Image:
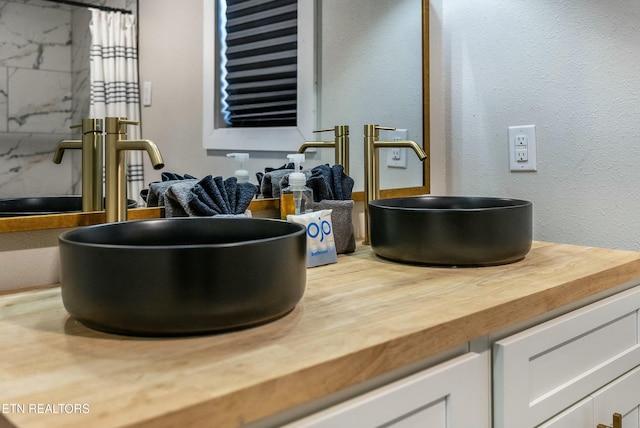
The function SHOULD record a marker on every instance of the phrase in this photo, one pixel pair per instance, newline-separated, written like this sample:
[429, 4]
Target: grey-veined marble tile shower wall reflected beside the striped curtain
[44, 89]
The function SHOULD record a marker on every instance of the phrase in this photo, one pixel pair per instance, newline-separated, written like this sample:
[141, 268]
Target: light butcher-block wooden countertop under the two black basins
[359, 318]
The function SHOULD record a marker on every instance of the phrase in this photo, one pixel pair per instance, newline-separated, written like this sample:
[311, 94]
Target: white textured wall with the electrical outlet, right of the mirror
[572, 68]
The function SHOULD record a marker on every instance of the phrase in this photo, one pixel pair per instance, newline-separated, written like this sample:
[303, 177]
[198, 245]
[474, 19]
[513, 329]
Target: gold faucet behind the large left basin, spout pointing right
[116, 165]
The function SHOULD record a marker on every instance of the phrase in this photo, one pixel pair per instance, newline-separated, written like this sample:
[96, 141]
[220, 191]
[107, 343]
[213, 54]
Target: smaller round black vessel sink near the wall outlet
[451, 230]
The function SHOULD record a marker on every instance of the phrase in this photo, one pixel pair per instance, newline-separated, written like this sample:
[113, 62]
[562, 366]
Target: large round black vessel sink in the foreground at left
[181, 276]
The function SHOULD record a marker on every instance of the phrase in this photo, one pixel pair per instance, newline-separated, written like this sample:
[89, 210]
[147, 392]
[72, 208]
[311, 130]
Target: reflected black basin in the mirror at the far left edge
[40, 205]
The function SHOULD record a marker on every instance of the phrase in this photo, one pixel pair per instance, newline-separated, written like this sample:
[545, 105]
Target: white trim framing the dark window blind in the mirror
[279, 139]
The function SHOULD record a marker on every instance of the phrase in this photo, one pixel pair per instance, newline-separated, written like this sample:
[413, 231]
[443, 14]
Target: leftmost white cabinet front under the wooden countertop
[454, 394]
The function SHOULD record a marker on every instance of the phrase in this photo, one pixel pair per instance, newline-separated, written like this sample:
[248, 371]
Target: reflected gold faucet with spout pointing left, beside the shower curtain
[91, 146]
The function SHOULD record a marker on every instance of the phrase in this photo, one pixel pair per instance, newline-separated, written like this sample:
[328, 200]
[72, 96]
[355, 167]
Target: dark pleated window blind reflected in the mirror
[259, 62]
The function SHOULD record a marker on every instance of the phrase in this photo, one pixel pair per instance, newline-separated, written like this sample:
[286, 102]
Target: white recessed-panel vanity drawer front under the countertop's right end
[546, 369]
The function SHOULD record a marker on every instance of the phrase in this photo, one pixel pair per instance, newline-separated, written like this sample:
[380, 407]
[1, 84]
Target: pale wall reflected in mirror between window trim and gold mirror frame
[371, 73]
